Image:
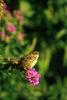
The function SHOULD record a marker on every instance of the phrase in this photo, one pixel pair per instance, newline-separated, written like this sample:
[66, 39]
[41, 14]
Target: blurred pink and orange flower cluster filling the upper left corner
[11, 25]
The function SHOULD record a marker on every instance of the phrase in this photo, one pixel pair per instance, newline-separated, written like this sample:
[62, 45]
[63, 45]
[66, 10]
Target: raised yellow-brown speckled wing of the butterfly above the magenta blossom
[29, 60]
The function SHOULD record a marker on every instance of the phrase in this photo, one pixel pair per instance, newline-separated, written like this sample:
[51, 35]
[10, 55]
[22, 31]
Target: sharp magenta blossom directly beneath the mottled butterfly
[32, 76]
